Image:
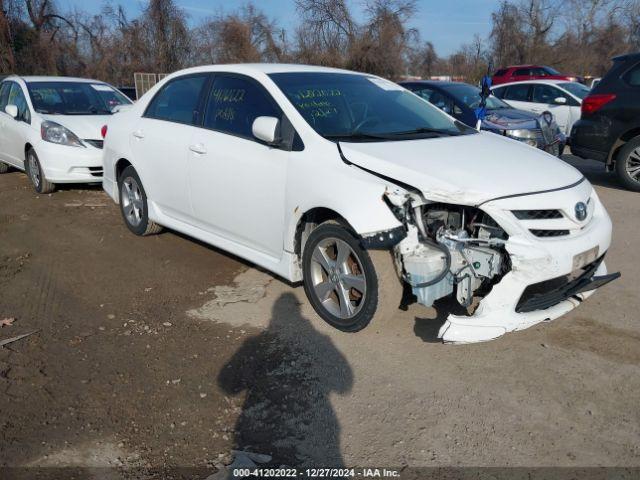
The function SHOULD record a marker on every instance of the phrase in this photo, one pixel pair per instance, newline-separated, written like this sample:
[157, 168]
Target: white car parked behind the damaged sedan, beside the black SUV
[563, 99]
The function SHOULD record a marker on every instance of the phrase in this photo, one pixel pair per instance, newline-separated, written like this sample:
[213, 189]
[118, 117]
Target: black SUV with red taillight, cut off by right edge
[609, 127]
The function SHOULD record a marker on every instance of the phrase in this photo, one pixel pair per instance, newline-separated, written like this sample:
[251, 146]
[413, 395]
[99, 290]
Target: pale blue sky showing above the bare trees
[446, 23]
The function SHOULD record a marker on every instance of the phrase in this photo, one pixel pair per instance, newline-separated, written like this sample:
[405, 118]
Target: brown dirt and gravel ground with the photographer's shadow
[159, 352]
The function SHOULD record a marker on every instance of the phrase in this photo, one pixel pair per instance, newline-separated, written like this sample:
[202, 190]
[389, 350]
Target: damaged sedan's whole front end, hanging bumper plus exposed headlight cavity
[502, 256]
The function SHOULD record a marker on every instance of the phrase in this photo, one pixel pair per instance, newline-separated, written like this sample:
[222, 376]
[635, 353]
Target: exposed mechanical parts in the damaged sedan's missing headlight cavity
[449, 249]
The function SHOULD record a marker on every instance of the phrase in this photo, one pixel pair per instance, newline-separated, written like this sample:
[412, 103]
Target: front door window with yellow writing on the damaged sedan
[234, 103]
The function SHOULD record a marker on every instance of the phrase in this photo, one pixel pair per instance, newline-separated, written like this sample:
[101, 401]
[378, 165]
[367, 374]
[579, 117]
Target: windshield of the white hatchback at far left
[74, 98]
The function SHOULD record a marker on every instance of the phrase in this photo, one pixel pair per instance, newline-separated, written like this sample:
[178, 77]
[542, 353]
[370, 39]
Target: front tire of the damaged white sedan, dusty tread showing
[383, 294]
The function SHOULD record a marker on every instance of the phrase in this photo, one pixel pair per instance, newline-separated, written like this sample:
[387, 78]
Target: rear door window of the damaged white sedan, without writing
[178, 100]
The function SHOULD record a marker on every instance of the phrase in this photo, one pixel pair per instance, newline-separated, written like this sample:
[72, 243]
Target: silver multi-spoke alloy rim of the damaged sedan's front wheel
[338, 279]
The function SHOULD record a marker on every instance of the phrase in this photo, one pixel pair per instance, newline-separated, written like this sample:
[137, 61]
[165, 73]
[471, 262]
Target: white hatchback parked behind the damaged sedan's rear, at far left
[50, 127]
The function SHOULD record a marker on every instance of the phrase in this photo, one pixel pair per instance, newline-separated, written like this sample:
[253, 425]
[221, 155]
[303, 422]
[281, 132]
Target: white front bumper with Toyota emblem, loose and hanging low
[516, 302]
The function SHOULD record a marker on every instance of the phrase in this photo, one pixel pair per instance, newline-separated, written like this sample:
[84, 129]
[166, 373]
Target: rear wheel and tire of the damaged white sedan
[132, 193]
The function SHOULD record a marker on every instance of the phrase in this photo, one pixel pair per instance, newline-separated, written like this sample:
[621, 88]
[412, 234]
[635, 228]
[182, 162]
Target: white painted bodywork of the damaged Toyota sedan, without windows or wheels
[247, 198]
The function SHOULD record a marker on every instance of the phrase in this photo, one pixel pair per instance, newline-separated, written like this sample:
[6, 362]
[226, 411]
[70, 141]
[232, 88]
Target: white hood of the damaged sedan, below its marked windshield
[467, 170]
